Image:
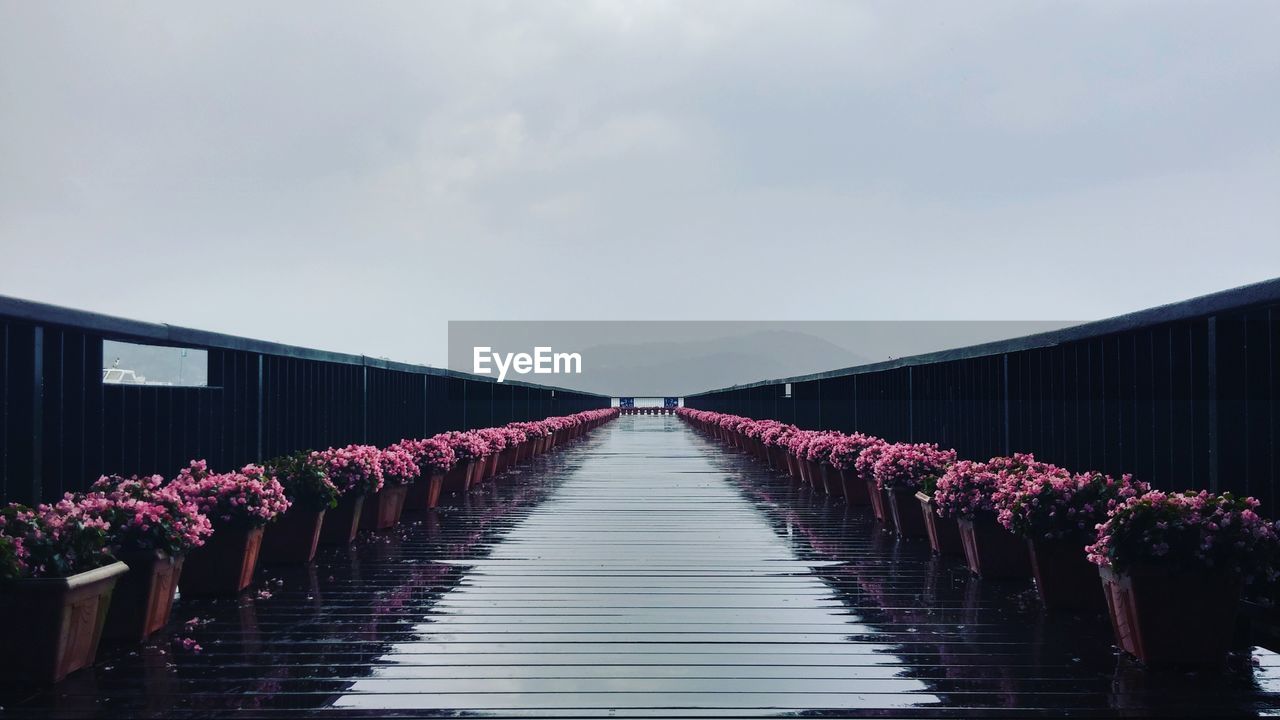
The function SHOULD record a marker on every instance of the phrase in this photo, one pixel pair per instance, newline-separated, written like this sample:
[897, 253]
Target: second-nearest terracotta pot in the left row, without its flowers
[144, 596]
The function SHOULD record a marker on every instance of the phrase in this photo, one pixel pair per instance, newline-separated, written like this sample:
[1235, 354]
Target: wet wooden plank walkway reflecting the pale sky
[644, 571]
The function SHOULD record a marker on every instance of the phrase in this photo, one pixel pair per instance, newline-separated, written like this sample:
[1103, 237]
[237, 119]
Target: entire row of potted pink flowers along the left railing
[108, 563]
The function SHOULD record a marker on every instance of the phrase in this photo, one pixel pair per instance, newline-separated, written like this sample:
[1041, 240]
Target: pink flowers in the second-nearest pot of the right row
[1048, 503]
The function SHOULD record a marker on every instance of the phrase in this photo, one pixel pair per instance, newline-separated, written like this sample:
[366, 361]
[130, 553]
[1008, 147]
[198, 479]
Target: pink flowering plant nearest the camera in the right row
[1190, 531]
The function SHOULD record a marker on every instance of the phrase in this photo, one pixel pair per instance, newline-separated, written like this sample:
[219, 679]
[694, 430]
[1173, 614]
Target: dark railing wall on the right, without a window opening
[1183, 395]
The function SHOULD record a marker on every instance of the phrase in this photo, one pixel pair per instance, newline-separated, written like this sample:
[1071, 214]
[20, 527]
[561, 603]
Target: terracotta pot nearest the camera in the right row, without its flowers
[1171, 618]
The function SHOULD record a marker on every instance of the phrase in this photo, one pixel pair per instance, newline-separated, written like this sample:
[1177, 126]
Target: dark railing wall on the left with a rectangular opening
[62, 427]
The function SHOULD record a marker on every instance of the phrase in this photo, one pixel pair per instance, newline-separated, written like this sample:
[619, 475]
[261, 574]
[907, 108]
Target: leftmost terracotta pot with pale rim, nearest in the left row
[52, 627]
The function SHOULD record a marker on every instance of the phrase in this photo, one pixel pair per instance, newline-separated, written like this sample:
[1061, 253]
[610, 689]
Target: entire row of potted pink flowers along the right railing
[1151, 559]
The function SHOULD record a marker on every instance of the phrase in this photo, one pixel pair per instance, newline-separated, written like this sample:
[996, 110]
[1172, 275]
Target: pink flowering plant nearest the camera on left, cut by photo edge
[53, 541]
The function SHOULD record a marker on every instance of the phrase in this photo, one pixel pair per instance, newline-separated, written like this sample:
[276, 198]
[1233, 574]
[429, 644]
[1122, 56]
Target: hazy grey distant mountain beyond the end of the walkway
[655, 370]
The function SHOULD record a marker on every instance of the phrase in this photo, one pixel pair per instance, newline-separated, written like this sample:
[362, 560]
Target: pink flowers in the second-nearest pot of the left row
[145, 513]
